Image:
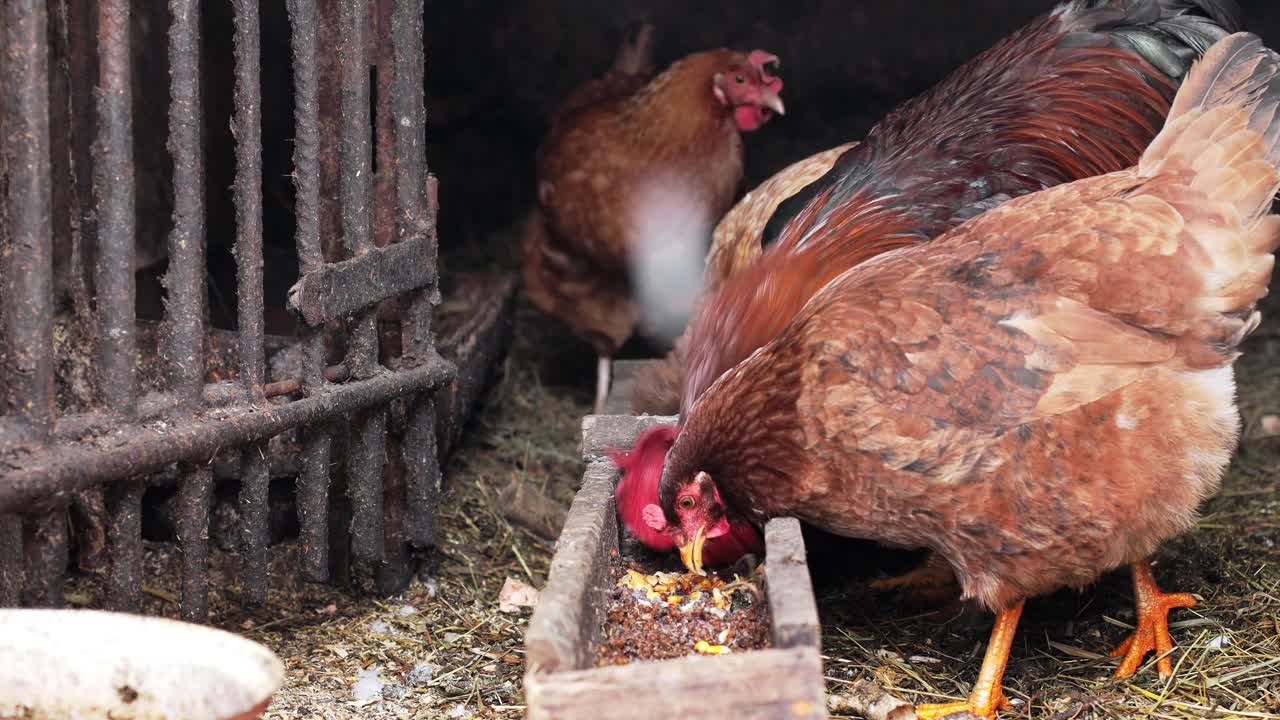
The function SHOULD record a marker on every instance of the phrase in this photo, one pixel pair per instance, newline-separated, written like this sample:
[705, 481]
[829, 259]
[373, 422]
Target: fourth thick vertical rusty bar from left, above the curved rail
[248, 130]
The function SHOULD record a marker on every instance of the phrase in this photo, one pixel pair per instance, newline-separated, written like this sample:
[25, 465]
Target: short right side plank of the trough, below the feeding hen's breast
[793, 609]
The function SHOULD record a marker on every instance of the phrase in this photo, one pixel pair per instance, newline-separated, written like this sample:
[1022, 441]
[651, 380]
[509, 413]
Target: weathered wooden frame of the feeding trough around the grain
[561, 682]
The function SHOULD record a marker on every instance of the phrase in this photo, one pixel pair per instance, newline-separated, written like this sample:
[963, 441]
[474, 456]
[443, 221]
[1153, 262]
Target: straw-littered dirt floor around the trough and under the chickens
[445, 650]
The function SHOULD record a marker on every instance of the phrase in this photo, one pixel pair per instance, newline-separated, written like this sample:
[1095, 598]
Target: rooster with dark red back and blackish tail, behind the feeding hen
[1076, 94]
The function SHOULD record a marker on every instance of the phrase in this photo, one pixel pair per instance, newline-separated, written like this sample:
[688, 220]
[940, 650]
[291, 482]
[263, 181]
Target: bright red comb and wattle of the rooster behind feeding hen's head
[638, 495]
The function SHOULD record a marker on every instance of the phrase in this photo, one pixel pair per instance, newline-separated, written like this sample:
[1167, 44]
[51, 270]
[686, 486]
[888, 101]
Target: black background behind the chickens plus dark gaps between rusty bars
[499, 69]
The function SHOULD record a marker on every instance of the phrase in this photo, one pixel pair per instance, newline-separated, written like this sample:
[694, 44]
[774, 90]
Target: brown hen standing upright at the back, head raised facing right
[618, 143]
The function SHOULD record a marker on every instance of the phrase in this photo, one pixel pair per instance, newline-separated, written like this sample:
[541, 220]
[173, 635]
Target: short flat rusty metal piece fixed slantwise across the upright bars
[355, 286]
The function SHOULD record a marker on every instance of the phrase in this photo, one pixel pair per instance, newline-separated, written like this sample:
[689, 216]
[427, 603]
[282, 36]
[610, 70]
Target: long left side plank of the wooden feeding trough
[566, 628]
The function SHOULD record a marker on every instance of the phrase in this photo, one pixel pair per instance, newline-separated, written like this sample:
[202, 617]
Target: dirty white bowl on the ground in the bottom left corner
[90, 666]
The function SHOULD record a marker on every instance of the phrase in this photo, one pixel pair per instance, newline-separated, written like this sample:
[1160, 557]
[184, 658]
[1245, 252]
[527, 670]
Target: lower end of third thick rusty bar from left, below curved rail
[195, 500]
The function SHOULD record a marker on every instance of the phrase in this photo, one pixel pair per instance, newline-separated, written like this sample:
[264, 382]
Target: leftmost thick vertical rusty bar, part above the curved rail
[28, 265]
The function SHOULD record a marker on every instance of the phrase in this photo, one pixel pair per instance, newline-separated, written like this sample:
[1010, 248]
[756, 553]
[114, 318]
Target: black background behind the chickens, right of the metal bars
[496, 71]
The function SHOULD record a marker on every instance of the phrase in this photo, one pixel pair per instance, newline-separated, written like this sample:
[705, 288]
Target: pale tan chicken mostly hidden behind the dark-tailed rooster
[735, 245]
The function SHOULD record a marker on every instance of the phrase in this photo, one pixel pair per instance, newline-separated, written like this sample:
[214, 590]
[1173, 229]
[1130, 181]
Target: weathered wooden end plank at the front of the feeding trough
[766, 685]
